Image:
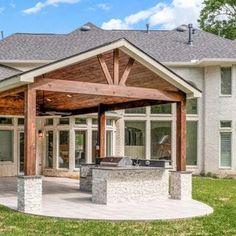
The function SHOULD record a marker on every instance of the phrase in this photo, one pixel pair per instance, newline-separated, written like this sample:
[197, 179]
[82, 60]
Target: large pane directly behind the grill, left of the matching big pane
[135, 139]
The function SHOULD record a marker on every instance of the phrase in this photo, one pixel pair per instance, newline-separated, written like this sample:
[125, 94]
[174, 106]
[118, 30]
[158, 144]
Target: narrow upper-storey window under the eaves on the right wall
[226, 81]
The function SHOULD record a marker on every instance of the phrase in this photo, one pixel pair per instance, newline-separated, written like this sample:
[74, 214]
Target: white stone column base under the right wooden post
[181, 185]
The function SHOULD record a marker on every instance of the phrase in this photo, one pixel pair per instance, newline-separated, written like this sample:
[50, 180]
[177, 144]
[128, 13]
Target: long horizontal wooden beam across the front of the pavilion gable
[68, 86]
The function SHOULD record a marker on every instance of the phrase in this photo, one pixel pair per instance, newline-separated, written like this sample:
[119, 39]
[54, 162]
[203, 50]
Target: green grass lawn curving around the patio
[218, 193]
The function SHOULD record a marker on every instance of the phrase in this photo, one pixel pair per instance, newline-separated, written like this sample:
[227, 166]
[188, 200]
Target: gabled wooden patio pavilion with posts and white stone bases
[114, 76]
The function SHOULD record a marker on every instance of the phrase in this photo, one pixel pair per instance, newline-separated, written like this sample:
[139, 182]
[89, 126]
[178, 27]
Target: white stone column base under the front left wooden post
[29, 193]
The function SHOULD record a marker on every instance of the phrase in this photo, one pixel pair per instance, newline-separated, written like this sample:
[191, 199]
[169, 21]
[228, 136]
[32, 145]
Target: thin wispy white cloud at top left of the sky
[40, 5]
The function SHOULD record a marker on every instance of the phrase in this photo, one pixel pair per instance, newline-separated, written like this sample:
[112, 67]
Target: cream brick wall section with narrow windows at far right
[218, 107]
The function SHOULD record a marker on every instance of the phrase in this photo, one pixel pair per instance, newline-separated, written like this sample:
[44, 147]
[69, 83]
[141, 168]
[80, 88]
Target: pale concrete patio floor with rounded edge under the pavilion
[62, 198]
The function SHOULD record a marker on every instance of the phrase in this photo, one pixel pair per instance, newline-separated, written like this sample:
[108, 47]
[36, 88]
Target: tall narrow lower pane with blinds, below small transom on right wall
[225, 153]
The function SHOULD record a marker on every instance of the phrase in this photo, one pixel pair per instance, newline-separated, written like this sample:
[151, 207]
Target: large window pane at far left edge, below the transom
[6, 141]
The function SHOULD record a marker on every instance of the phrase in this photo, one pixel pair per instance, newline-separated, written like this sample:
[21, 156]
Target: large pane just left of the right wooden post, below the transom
[161, 140]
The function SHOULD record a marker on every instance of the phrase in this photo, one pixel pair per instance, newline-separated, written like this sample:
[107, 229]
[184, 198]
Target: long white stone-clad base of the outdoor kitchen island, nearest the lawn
[133, 184]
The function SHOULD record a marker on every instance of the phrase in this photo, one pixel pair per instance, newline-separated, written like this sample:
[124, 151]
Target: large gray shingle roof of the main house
[165, 46]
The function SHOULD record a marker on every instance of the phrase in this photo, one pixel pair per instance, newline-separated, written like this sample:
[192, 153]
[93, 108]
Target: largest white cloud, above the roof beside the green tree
[166, 16]
